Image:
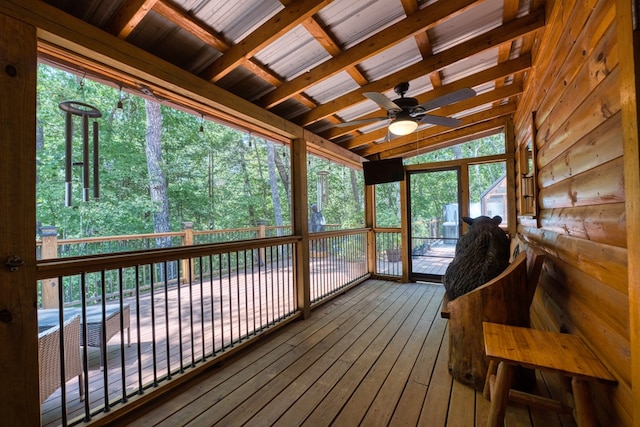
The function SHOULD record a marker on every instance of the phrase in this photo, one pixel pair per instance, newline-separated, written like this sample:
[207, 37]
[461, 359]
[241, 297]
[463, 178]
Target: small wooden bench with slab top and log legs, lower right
[510, 346]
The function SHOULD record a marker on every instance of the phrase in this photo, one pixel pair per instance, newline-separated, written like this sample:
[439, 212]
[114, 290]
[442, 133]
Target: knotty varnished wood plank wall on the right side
[574, 91]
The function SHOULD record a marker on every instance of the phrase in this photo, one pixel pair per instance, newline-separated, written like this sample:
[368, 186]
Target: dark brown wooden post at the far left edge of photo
[19, 394]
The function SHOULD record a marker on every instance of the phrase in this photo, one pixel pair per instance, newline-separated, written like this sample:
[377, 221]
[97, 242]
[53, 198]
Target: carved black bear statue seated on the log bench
[481, 254]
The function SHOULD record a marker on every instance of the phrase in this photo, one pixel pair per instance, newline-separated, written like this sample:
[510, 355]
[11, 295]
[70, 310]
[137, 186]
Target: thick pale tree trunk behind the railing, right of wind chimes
[157, 180]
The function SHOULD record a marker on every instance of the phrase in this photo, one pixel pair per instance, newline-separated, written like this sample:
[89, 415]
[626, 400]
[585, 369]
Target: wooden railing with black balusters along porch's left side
[184, 306]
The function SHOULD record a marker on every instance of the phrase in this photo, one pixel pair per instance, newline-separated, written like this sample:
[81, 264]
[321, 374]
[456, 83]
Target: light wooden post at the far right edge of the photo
[628, 44]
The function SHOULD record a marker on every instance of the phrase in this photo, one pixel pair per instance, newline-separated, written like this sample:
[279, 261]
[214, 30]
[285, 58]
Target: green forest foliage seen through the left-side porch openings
[217, 178]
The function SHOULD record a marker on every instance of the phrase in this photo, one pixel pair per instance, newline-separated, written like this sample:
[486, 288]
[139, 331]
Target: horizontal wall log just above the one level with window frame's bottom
[604, 184]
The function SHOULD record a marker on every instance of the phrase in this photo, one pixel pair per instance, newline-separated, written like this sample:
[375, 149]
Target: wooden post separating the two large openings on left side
[301, 224]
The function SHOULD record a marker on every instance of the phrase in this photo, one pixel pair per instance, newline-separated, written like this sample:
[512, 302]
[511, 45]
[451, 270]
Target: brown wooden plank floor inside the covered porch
[375, 356]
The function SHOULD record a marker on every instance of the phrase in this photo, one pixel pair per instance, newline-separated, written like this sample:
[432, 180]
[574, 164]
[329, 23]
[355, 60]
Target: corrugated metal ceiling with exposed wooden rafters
[311, 61]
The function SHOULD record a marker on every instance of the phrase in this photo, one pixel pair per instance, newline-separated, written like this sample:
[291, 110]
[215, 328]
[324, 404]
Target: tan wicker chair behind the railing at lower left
[49, 357]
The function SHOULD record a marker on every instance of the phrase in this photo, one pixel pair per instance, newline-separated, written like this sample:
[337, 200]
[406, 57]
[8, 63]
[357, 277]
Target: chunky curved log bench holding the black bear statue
[506, 300]
